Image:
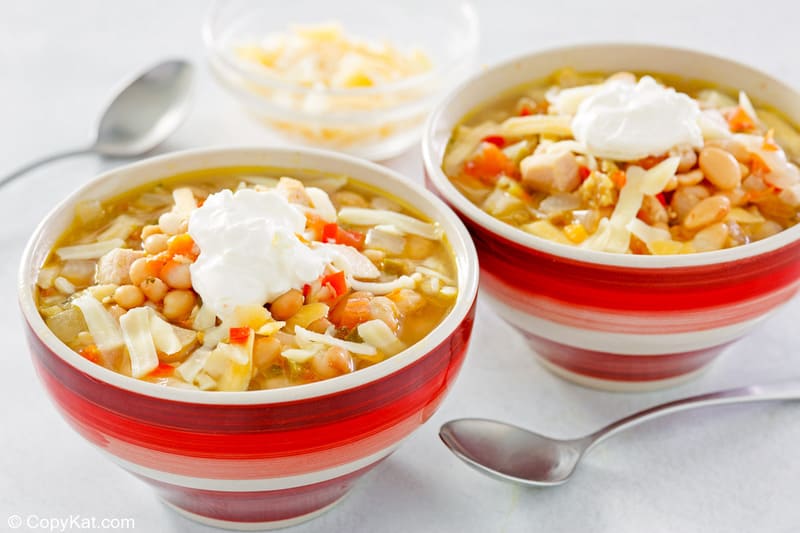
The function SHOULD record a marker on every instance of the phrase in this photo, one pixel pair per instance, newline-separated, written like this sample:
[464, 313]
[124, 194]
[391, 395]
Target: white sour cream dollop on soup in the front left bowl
[249, 250]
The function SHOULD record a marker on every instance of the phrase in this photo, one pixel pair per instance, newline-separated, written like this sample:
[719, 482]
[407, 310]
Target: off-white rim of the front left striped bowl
[463, 249]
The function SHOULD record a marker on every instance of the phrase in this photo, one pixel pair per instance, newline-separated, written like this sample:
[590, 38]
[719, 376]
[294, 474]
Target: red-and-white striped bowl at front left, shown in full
[260, 459]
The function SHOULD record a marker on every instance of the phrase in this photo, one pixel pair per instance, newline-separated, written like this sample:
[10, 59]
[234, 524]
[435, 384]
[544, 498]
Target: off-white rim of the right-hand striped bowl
[600, 258]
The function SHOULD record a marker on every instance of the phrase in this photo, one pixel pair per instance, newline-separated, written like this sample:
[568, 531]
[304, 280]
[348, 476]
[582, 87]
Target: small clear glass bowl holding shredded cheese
[350, 76]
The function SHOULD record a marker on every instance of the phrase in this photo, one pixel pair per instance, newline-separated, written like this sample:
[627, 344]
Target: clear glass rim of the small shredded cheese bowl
[471, 33]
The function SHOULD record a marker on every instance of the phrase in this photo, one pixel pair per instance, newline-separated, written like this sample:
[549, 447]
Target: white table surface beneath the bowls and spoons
[731, 469]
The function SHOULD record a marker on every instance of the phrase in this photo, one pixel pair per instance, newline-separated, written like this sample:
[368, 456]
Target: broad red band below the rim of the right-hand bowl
[635, 289]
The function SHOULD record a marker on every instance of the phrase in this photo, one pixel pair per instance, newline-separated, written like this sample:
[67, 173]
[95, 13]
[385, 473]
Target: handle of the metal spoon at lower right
[784, 390]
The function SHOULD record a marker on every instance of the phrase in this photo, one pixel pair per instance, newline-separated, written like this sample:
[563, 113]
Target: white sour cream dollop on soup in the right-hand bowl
[626, 121]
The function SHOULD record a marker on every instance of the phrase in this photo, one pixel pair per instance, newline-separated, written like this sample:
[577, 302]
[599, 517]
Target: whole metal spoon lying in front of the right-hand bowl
[510, 453]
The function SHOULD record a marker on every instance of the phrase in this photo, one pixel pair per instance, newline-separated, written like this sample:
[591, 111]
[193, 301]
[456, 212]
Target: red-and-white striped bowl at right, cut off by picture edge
[614, 321]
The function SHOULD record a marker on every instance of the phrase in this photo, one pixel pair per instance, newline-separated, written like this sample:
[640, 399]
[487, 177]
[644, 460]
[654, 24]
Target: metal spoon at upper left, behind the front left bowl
[138, 119]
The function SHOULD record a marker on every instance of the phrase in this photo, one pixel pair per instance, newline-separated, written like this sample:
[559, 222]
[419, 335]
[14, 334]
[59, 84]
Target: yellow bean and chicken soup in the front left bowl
[336, 311]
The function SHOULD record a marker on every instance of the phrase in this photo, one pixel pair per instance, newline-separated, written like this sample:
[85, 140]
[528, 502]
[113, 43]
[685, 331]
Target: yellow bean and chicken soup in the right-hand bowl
[485, 163]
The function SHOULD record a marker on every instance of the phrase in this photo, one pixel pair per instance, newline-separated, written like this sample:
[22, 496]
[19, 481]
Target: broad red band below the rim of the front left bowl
[357, 422]
